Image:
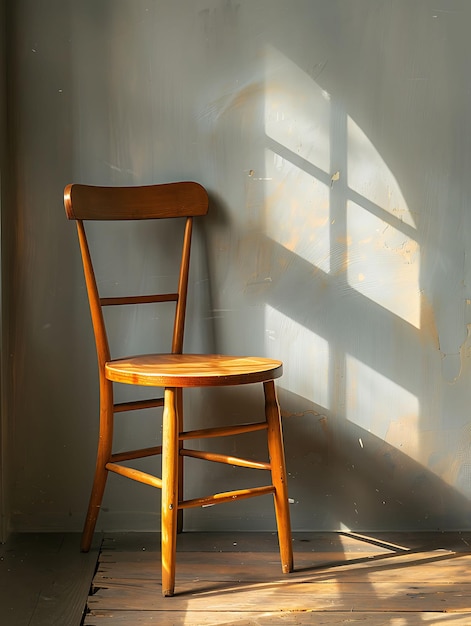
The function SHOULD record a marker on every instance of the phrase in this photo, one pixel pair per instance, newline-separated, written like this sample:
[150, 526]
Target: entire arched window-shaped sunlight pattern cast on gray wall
[352, 224]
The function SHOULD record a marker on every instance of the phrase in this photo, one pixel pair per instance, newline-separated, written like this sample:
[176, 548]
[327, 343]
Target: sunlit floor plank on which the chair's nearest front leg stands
[329, 596]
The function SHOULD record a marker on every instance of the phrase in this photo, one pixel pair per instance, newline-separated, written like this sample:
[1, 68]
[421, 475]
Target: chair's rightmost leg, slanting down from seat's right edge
[278, 472]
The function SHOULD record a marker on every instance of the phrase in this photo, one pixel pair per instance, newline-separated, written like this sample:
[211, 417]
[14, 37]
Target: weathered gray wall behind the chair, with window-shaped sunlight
[333, 138]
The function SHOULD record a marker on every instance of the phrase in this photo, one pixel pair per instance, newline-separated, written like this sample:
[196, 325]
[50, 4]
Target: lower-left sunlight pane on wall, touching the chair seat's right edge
[286, 340]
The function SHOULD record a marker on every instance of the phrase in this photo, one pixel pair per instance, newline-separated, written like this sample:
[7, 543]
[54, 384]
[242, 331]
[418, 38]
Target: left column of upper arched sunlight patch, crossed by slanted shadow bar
[297, 120]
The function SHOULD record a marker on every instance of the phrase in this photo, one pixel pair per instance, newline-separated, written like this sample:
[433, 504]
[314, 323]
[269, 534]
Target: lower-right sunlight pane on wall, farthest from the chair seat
[376, 403]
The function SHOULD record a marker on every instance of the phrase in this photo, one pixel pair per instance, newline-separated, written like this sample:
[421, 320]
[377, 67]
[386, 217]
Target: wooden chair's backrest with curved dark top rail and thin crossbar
[172, 200]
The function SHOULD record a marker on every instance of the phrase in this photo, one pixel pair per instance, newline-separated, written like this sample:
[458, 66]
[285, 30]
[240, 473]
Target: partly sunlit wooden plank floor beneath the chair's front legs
[340, 578]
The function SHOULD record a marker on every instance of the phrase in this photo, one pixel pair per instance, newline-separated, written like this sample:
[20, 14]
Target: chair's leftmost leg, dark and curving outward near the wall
[105, 443]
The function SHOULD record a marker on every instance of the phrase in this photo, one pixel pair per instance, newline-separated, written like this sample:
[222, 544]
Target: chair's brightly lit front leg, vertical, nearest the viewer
[170, 461]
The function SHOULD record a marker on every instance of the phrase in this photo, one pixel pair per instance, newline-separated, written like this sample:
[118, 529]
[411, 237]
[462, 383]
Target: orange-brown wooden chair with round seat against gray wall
[171, 372]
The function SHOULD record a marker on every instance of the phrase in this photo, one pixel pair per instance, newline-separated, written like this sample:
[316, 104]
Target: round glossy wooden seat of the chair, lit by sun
[192, 370]
